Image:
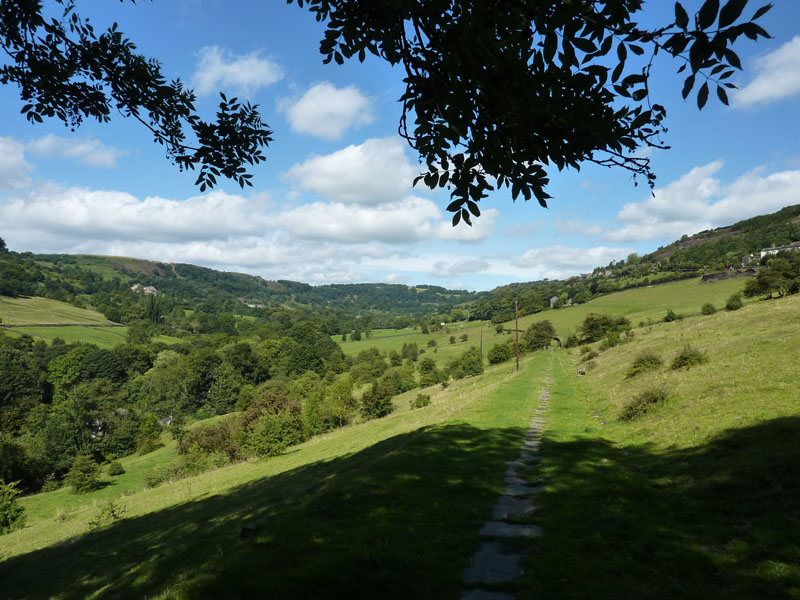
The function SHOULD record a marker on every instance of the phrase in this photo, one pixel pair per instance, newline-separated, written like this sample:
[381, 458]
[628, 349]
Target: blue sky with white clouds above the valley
[334, 201]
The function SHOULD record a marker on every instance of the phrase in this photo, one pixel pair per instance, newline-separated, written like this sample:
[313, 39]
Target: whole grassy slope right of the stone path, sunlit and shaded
[698, 499]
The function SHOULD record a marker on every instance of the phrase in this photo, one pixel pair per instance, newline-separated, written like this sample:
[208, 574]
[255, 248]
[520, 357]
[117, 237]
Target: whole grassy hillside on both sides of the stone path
[693, 497]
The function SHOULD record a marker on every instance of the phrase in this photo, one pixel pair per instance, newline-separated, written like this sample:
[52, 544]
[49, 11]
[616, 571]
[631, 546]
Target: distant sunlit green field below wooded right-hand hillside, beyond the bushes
[641, 304]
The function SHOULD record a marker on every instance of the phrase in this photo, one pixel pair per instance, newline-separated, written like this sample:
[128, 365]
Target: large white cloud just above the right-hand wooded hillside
[699, 201]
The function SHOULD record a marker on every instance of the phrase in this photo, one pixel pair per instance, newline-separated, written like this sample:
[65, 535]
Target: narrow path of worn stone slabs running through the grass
[497, 561]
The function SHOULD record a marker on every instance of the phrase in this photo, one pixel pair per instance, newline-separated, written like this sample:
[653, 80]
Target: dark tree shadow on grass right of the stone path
[720, 520]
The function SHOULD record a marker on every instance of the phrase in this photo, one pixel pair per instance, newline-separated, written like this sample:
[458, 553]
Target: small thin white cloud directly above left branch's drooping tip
[219, 68]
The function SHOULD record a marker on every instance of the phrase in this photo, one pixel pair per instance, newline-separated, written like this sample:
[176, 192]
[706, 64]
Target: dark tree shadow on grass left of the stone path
[398, 519]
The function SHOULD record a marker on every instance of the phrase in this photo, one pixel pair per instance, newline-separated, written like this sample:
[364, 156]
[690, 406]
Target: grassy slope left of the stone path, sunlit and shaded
[387, 508]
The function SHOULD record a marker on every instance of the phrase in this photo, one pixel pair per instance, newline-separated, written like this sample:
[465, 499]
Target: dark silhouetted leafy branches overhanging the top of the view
[496, 91]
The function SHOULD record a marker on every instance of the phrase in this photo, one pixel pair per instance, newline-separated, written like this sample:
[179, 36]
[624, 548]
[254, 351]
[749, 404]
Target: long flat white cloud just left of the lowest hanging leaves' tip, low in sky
[403, 221]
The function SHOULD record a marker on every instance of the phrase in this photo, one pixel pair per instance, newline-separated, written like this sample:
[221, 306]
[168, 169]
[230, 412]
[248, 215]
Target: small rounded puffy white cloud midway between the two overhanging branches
[327, 111]
